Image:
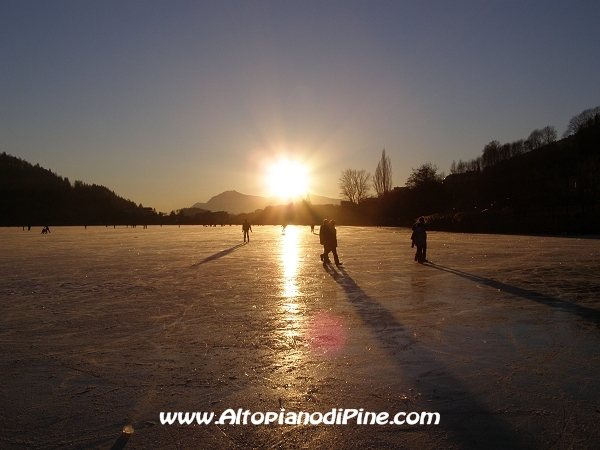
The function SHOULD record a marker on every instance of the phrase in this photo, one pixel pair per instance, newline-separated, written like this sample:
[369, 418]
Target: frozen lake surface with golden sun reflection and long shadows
[102, 328]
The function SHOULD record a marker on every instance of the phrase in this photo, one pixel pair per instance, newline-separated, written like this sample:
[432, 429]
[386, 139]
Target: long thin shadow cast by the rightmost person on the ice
[588, 314]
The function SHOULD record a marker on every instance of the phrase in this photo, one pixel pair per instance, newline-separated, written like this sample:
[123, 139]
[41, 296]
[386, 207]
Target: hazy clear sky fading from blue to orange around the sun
[171, 102]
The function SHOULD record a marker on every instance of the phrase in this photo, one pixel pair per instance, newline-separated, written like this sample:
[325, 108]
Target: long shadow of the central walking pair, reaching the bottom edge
[471, 425]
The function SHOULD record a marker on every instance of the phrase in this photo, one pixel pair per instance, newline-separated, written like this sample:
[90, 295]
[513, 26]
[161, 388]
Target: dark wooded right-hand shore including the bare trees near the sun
[538, 184]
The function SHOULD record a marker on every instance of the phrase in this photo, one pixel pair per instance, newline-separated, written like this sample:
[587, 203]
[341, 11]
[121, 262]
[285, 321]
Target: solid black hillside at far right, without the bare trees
[552, 189]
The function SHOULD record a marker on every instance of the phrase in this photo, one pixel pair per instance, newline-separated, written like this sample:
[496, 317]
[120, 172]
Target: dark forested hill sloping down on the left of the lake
[33, 196]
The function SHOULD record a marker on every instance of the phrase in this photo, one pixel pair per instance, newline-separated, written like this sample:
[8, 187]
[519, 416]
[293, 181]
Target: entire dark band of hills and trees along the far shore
[540, 184]
